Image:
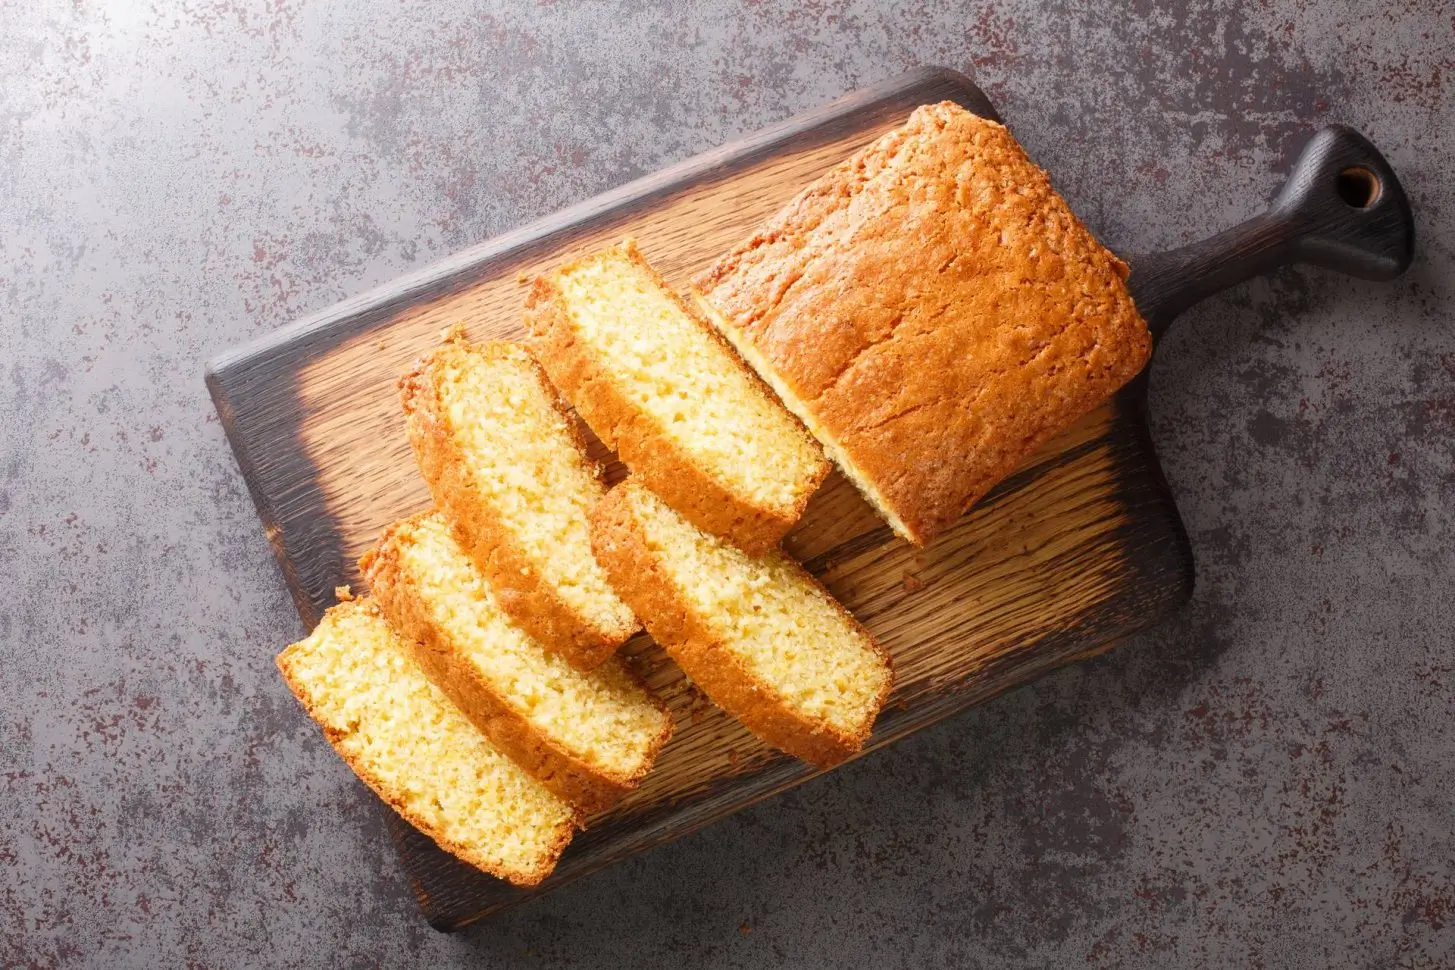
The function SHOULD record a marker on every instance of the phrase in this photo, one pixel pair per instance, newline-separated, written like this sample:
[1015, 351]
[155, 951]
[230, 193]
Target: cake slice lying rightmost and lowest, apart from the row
[759, 635]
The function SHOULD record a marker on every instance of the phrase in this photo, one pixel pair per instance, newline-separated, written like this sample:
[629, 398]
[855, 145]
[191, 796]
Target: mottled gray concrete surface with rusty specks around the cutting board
[1265, 783]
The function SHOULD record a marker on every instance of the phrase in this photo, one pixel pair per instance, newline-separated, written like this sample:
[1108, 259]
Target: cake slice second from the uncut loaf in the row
[506, 463]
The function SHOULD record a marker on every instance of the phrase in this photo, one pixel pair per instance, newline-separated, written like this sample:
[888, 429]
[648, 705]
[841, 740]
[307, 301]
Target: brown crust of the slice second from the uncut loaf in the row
[522, 591]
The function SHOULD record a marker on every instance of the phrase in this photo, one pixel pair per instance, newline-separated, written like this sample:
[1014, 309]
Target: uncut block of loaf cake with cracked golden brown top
[933, 312]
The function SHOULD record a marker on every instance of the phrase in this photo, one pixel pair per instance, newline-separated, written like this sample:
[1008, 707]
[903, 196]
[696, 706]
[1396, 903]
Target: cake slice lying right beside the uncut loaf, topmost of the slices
[671, 398]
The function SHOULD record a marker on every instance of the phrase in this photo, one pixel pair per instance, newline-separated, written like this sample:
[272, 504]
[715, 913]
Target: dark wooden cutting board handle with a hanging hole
[1342, 209]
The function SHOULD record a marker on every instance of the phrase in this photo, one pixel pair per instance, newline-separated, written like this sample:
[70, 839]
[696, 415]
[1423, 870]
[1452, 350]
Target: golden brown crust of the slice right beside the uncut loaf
[639, 440]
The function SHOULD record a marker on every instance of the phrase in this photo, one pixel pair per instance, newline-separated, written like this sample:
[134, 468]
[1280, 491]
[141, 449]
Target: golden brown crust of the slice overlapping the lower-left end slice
[586, 786]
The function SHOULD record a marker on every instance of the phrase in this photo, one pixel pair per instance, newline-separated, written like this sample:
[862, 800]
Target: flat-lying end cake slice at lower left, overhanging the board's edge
[418, 753]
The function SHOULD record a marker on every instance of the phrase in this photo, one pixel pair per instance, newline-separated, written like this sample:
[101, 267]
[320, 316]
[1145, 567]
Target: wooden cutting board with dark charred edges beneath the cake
[1077, 550]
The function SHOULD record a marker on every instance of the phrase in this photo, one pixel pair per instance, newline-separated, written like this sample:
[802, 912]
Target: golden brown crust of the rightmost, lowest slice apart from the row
[619, 540]
